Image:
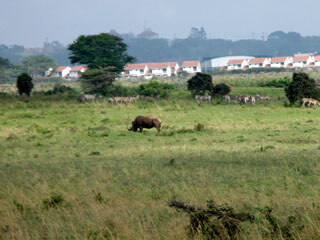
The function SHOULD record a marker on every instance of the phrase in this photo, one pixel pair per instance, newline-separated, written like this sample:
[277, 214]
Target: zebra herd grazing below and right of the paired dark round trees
[243, 99]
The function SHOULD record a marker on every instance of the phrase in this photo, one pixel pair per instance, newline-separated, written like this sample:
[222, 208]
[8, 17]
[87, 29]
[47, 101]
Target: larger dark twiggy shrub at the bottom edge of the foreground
[214, 221]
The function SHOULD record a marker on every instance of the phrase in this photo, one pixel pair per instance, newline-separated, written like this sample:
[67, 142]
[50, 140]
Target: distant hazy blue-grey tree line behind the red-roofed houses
[195, 46]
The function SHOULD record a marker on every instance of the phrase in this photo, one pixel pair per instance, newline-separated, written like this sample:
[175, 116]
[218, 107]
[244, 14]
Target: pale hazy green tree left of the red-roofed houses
[38, 64]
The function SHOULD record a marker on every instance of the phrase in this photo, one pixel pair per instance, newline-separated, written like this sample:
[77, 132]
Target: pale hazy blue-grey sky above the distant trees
[30, 22]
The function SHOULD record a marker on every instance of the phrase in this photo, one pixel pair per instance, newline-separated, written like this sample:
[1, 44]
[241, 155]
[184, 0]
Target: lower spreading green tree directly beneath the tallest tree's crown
[98, 81]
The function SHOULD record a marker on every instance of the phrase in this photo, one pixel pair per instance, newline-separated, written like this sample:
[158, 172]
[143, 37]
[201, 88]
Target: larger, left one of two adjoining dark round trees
[200, 84]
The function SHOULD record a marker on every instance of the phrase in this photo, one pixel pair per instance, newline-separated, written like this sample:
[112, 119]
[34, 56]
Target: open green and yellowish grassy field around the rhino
[74, 171]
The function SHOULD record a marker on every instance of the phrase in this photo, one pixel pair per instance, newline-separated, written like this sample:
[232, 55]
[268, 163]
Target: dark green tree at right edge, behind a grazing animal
[301, 86]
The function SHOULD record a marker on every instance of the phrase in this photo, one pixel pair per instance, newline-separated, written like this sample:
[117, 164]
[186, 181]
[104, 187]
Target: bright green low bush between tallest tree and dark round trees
[155, 88]
